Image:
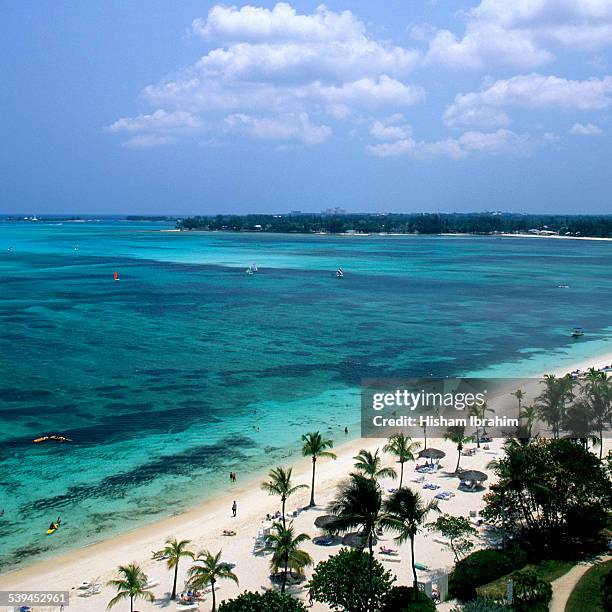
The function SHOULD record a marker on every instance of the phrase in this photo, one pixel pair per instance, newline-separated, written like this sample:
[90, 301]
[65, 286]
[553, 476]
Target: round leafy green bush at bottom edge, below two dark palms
[351, 581]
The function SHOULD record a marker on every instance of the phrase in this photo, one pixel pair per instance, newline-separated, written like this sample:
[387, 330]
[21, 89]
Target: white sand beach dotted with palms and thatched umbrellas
[203, 525]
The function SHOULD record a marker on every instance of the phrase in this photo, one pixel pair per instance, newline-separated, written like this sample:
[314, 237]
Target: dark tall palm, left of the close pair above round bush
[358, 506]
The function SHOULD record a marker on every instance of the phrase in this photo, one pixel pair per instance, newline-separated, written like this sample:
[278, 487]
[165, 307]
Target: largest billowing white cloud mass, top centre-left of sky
[279, 63]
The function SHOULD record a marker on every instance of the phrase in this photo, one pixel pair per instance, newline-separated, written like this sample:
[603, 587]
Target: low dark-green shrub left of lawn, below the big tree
[479, 568]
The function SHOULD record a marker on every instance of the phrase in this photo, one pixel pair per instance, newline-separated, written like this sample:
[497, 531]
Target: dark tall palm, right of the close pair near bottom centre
[405, 513]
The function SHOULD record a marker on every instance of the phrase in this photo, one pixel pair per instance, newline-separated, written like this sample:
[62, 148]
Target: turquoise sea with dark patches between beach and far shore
[163, 378]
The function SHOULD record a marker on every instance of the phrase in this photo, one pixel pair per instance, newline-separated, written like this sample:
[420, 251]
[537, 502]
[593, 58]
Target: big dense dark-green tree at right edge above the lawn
[554, 494]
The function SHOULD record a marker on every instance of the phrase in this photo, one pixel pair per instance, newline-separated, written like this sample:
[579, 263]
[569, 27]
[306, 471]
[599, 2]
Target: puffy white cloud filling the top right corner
[521, 33]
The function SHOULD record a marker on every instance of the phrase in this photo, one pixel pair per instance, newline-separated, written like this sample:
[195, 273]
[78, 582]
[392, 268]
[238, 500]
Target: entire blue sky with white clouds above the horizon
[163, 107]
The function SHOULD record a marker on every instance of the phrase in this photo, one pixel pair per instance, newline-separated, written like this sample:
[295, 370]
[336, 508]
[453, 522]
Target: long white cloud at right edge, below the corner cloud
[530, 91]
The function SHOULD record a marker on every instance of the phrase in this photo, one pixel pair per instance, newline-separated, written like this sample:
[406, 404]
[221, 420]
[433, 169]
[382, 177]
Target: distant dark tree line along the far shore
[412, 223]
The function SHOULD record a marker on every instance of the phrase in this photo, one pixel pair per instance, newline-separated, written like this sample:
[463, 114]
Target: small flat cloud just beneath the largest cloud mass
[287, 127]
